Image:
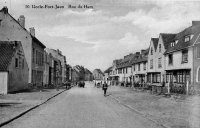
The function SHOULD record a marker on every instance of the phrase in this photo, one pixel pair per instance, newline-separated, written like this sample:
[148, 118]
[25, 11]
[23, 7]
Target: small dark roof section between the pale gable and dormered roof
[167, 38]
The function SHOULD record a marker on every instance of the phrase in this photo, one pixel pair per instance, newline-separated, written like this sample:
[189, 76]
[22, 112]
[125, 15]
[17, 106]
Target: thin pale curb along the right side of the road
[139, 113]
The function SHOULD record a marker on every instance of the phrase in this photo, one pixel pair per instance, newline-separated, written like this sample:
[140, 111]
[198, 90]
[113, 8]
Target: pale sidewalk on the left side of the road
[14, 105]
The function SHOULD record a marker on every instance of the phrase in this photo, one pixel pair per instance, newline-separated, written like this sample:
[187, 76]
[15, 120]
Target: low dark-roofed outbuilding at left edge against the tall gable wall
[13, 67]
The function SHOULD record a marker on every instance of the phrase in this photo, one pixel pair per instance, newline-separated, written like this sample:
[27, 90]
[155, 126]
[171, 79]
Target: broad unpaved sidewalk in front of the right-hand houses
[177, 111]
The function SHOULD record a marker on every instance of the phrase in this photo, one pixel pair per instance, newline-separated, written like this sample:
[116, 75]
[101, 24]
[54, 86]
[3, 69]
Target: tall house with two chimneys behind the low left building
[11, 30]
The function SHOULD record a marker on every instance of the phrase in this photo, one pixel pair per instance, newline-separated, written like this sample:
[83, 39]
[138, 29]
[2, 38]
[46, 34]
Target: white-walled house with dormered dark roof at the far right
[180, 57]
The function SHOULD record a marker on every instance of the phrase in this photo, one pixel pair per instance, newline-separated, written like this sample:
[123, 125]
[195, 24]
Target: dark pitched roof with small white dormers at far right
[181, 44]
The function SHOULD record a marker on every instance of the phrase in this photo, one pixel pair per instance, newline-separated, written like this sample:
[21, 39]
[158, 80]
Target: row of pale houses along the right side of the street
[171, 58]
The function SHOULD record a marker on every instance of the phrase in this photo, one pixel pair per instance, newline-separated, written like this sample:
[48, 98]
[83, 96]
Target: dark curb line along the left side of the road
[28, 110]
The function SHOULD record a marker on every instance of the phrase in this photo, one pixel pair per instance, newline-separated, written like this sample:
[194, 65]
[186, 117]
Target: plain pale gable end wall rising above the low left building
[12, 31]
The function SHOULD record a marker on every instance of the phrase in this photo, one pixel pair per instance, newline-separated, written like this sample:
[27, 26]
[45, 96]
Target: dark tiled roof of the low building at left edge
[7, 50]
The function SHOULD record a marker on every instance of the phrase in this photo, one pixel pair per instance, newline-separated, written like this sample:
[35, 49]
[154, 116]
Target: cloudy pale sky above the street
[112, 29]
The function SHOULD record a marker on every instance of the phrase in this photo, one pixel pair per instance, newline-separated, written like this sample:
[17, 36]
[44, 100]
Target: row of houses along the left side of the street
[25, 60]
